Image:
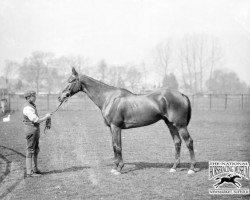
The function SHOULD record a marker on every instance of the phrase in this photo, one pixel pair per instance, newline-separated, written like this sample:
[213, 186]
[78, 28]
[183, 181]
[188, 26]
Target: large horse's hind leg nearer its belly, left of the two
[177, 143]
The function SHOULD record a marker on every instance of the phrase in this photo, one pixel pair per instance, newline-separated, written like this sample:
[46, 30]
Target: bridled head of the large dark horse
[73, 86]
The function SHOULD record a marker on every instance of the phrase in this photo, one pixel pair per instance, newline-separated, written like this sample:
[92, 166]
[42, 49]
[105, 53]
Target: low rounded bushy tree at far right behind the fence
[226, 82]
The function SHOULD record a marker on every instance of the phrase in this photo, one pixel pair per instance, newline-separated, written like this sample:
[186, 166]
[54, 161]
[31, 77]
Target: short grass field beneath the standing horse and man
[76, 157]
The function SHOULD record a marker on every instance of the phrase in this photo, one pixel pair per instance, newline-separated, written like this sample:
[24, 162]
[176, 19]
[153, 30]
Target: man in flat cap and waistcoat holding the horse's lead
[32, 122]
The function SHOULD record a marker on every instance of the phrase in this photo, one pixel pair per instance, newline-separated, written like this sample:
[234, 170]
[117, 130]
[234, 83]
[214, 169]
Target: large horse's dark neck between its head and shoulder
[96, 90]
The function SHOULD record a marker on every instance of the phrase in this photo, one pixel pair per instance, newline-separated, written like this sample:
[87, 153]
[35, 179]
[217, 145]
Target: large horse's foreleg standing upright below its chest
[117, 147]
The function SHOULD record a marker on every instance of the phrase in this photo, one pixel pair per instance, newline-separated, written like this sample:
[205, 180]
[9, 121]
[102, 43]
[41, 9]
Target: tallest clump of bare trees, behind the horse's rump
[198, 54]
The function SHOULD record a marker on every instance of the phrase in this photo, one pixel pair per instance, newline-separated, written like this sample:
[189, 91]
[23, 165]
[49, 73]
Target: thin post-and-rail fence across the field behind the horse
[82, 102]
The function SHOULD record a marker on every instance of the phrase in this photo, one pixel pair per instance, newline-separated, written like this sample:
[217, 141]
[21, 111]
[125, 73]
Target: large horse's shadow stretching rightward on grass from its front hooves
[134, 166]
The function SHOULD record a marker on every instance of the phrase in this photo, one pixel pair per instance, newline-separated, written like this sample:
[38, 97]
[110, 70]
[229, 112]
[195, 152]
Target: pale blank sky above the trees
[122, 31]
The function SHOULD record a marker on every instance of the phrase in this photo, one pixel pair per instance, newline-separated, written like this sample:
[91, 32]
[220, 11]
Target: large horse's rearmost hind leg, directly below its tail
[189, 142]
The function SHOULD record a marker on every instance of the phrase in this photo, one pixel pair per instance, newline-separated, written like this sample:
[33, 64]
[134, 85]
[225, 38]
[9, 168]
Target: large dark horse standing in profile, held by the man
[121, 109]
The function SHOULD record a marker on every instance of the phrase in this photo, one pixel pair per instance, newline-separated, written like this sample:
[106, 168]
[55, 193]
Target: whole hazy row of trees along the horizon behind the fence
[189, 65]
